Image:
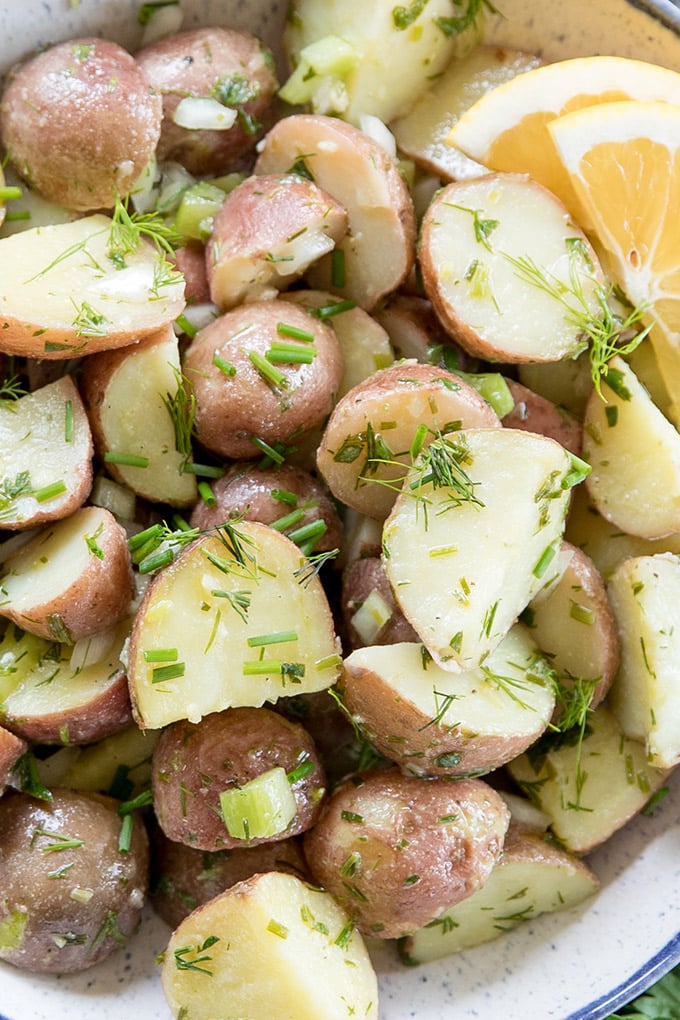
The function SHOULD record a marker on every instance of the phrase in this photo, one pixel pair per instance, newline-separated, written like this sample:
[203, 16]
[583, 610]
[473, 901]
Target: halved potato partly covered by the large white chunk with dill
[369, 443]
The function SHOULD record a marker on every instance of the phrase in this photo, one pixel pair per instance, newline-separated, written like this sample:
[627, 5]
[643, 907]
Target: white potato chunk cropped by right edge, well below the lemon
[646, 695]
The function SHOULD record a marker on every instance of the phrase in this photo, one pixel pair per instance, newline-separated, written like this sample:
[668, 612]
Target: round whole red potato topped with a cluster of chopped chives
[242, 395]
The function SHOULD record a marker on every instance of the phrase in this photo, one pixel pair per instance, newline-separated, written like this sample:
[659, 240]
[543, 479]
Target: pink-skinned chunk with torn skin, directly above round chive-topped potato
[268, 233]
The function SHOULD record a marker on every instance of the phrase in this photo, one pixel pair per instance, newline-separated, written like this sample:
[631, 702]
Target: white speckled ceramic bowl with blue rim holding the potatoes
[579, 965]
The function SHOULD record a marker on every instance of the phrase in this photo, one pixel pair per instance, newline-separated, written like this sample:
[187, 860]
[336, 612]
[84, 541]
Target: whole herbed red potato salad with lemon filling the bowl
[340, 499]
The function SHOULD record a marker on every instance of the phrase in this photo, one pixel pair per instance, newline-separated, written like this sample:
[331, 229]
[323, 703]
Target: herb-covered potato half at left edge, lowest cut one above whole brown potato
[47, 698]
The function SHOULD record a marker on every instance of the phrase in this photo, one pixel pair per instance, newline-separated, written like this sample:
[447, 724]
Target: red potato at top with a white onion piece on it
[233, 69]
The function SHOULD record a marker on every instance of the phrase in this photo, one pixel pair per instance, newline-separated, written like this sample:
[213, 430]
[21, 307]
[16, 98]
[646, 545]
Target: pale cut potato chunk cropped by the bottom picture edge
[270, 948]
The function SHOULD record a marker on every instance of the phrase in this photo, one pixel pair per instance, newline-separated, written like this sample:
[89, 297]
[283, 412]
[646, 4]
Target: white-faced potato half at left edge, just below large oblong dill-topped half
[45, 456]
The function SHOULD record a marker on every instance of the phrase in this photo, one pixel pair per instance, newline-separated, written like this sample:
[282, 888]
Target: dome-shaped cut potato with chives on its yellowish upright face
[238, 620]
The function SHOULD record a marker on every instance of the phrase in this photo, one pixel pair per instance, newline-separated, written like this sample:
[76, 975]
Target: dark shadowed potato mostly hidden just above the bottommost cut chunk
[184, 879]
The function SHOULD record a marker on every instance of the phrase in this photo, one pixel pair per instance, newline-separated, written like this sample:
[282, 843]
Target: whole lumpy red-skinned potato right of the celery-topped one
[397, 851]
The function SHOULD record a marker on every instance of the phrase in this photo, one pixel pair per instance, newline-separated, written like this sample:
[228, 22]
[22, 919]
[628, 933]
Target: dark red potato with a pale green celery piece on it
[194, 763]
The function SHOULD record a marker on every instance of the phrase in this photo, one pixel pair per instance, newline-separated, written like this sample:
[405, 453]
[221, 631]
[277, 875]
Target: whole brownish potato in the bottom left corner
[94, 929]
